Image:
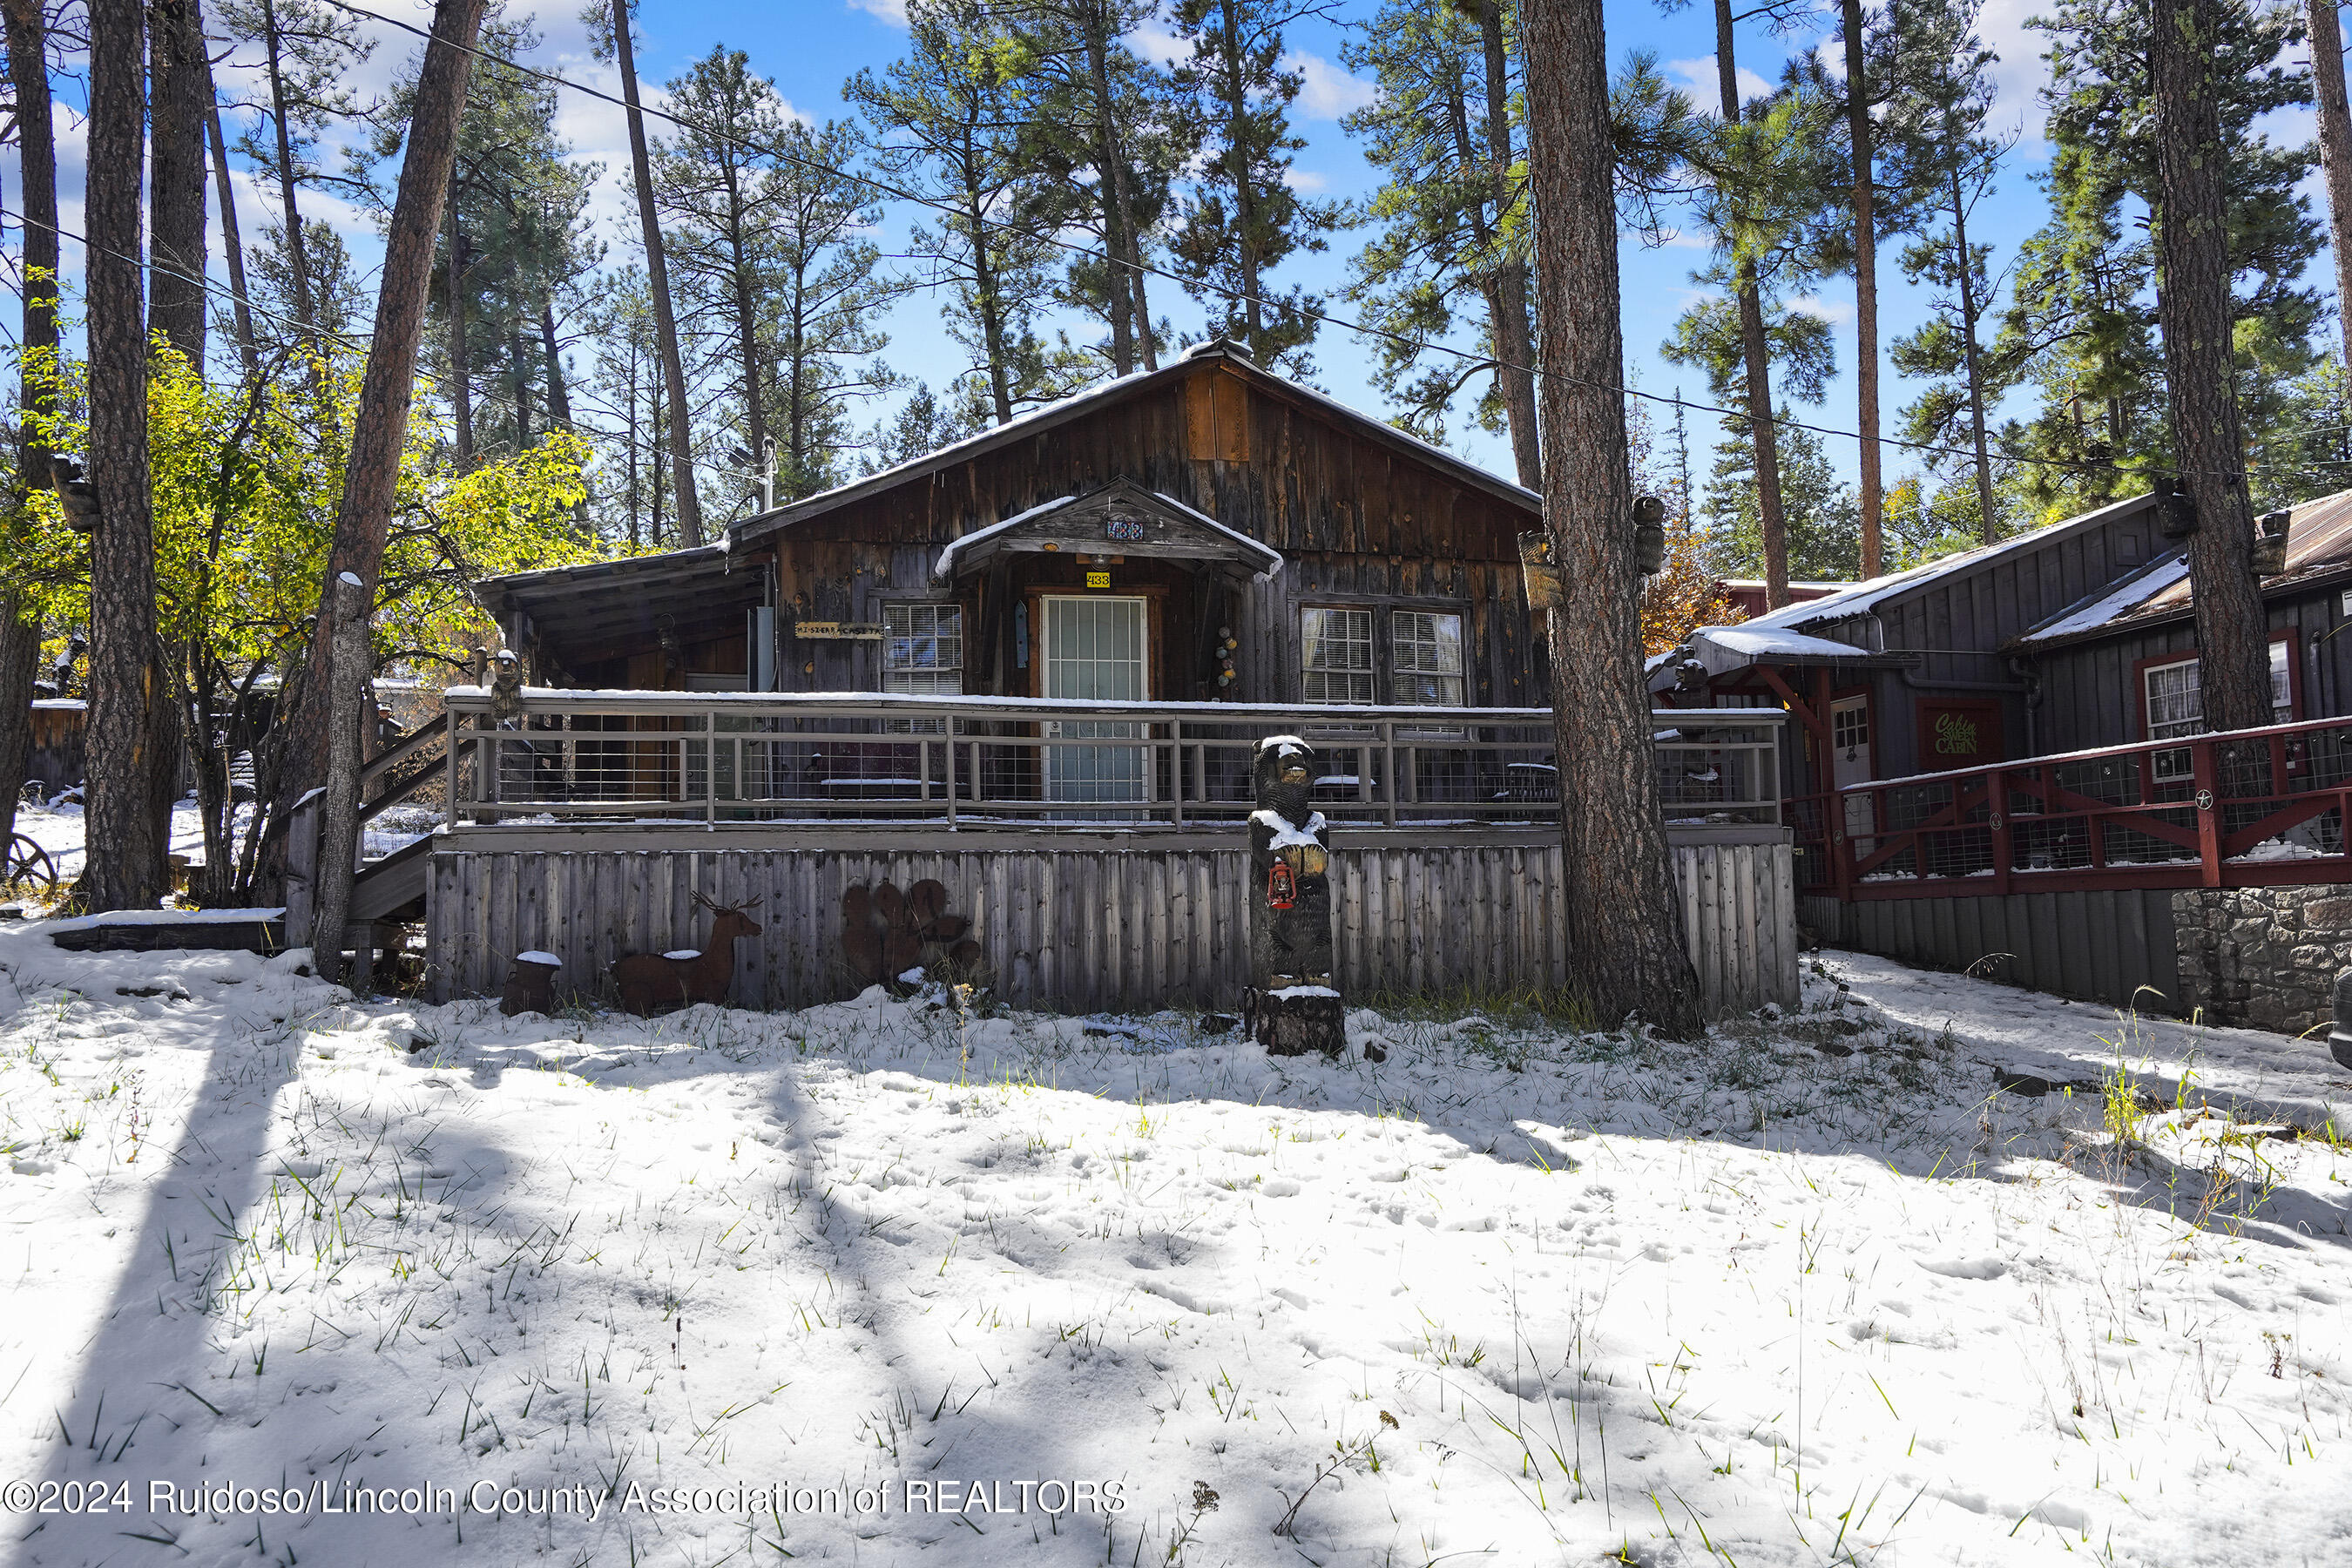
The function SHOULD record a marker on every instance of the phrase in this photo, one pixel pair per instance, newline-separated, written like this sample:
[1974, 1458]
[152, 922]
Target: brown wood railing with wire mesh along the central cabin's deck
[970, 763]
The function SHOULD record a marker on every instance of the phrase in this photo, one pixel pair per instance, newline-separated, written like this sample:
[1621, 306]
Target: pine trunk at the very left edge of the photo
[36, 147]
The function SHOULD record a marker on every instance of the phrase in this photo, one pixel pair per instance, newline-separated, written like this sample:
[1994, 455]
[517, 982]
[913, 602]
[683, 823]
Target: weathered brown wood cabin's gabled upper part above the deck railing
[1104, 547]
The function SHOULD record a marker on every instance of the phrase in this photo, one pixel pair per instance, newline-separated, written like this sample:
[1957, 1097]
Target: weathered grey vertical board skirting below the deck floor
[1090, 927]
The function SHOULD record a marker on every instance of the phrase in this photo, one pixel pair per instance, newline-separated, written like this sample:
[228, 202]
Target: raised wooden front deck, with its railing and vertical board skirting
[589, 829]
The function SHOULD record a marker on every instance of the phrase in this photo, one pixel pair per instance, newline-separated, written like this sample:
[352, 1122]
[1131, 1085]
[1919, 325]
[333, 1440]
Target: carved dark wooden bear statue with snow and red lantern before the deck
[1295, 1005]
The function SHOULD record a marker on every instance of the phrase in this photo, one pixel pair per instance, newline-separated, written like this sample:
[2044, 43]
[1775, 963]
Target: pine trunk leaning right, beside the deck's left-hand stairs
[387, 391]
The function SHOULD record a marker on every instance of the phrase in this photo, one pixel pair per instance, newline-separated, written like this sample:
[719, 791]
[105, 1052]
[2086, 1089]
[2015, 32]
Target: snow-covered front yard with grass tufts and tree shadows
[886, 1282]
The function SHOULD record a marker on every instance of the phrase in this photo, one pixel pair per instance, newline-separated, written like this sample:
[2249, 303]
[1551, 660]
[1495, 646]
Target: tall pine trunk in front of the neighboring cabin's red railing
[2193, 302]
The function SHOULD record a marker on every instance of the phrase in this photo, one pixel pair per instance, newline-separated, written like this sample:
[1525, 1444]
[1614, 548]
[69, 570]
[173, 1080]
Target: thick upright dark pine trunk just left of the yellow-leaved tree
[131, 692]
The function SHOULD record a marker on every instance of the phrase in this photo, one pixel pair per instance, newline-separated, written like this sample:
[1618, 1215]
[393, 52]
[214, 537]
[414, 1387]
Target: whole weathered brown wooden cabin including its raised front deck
[1031, 669]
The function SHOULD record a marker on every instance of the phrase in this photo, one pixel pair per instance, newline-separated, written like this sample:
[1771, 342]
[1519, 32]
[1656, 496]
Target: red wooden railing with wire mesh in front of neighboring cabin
[2240, 810]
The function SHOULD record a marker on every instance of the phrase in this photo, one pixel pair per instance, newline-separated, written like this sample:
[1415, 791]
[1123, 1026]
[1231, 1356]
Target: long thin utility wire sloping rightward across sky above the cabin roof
[1231, 295]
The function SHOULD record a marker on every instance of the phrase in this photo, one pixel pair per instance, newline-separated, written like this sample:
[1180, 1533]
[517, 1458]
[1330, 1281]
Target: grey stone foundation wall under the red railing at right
[2264, 958]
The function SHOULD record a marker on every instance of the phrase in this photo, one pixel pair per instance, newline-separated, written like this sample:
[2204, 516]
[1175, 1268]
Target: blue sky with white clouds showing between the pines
[810, 48]
